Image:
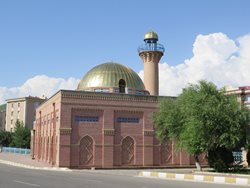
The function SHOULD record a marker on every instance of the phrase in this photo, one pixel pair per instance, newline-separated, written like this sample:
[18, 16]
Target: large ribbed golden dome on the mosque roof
[108, 75]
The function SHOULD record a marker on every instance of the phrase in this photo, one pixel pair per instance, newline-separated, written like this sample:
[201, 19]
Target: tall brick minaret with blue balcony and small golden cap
[151, 53]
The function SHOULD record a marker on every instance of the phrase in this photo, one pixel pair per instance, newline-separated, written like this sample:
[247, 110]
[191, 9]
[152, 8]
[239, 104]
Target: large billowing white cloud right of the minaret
[216, 58]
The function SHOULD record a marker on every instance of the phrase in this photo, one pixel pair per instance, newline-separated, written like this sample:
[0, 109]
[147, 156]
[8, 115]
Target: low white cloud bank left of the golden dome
[40, 85]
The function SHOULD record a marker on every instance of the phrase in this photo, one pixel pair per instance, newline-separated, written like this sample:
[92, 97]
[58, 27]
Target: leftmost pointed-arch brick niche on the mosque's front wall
[86, 151]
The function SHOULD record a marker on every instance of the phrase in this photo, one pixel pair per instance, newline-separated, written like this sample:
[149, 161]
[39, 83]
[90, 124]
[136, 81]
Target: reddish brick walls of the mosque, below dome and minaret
[78, 129]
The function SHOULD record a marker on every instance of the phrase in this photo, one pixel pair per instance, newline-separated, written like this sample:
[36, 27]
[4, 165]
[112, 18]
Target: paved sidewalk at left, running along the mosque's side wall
[25, 161]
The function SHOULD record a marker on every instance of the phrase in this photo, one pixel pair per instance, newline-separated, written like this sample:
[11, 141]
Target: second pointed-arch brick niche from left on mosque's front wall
[128, 150]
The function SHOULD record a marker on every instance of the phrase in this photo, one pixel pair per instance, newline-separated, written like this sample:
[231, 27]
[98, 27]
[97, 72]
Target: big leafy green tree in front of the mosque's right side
[202, 120]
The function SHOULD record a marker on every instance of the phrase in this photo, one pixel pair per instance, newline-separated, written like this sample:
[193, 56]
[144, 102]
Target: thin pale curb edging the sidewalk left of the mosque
[33, 167]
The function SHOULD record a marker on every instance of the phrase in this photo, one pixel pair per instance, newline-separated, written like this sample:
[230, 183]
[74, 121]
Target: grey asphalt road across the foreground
[14, 177]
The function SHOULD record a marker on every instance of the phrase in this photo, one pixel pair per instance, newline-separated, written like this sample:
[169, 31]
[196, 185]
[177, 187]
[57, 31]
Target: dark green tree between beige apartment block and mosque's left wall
[21, 136]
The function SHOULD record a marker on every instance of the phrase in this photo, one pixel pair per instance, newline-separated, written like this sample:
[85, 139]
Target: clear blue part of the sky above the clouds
[67, 38]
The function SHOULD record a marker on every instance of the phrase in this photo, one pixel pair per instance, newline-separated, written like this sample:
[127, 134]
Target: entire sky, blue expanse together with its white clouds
[47, 39]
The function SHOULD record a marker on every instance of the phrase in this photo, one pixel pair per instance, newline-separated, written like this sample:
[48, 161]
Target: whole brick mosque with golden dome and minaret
[107, 121]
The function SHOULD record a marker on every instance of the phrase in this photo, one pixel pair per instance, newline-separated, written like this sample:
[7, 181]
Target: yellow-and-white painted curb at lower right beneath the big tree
[198, 178]
